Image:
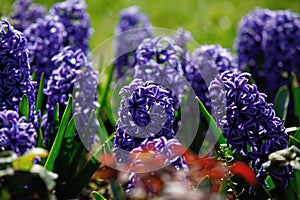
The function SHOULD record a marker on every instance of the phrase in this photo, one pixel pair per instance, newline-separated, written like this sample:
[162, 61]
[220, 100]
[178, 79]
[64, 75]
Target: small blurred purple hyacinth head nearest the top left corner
[26, 13]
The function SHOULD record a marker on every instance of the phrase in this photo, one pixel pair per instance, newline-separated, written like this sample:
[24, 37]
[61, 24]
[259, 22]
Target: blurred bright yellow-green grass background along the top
[209, 21]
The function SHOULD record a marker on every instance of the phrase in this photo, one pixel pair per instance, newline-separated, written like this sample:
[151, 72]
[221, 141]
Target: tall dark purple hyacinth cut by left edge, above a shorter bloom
[15, 79]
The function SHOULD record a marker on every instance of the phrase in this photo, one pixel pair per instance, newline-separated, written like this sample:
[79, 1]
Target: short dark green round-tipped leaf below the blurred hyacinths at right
[281, 102]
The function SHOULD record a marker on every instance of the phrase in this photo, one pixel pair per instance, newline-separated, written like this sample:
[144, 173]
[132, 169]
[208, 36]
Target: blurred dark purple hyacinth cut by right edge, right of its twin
[281, 49]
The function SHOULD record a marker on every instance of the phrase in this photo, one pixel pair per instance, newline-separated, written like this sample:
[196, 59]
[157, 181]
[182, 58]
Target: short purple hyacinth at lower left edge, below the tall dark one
[15, 133]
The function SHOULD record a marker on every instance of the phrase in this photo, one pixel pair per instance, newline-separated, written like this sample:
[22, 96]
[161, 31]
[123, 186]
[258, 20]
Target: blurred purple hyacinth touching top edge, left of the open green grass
[72, 14]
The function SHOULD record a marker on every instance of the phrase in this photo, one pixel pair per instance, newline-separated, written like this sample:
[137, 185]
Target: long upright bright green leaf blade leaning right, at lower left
[54, 152]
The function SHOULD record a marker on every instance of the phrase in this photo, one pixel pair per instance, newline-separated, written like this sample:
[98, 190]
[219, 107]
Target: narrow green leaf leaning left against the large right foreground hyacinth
[212, 124]
